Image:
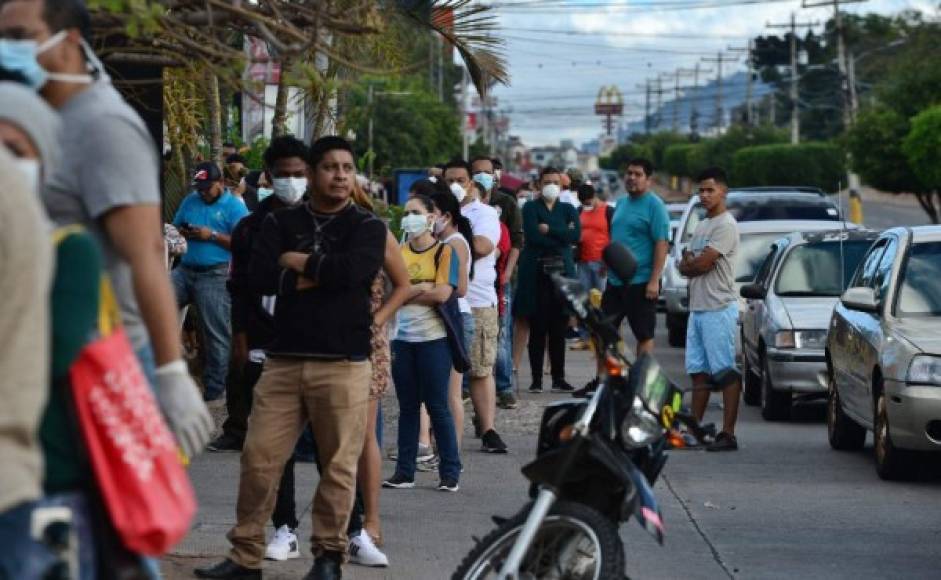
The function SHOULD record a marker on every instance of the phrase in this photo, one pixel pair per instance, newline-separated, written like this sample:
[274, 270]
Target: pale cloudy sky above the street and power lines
[561, 52]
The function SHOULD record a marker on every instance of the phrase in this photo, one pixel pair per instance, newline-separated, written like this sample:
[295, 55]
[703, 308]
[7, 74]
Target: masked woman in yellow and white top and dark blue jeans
[421, 358]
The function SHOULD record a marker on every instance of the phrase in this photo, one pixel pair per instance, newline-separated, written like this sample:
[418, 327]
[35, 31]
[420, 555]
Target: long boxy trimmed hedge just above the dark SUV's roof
[811, 164]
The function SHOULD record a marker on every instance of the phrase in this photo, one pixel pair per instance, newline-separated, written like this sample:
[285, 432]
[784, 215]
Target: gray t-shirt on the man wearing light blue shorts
[715, 289]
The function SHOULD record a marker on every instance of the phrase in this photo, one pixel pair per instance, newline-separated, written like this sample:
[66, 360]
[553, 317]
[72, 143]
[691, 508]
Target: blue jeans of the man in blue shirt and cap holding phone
[207, 291]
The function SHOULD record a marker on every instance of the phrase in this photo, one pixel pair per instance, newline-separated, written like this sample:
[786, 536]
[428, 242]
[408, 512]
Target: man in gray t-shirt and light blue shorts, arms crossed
[713, 303]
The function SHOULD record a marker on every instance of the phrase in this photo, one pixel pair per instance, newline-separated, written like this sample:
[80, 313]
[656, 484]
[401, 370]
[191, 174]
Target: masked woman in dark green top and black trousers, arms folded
[551, 228]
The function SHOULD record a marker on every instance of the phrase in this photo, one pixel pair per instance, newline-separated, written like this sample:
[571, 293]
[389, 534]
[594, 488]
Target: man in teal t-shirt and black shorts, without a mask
[641, 223]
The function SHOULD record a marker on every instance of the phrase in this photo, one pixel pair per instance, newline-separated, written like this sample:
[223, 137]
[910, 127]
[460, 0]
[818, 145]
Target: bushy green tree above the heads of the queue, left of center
[409, 130]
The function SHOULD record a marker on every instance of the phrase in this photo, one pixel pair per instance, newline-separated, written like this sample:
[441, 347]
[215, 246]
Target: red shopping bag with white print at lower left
[134, 455]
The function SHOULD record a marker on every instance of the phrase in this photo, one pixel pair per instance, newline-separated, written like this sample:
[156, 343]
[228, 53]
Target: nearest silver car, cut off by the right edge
[883, 353]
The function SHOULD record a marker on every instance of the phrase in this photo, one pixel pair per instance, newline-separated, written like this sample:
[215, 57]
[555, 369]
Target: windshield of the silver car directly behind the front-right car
[814, 269]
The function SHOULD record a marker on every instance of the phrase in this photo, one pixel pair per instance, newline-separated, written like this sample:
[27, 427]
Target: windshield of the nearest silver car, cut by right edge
[919, 291]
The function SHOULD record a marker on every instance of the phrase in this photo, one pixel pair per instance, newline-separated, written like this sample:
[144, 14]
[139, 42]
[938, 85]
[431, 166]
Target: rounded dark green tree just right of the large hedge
[875, 143]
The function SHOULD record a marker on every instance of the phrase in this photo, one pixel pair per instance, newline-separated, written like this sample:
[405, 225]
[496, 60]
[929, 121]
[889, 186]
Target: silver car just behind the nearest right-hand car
[789, 304]
